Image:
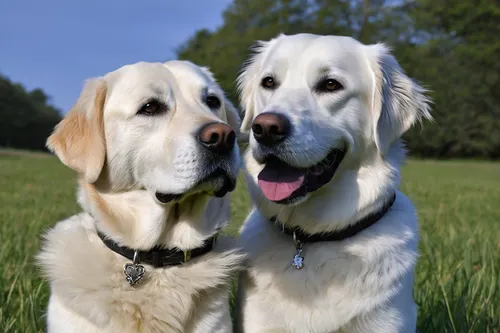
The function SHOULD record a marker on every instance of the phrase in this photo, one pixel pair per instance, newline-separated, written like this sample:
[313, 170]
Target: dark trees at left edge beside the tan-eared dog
[26, 117]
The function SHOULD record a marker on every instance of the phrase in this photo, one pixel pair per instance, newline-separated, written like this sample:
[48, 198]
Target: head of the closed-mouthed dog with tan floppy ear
[166, 128]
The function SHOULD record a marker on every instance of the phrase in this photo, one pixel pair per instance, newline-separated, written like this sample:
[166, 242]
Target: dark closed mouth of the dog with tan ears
[218, 183]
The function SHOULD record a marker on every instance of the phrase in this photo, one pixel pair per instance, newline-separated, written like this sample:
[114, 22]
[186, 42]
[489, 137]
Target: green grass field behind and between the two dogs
[457, 280]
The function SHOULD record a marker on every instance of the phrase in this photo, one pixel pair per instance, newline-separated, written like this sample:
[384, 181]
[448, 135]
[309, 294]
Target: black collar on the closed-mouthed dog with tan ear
[158, 257]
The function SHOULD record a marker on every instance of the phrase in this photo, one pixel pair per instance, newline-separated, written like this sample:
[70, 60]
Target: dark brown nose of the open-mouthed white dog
[270, 128]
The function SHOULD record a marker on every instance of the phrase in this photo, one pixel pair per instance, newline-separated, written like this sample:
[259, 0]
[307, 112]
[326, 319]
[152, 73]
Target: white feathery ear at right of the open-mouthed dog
[398, 102]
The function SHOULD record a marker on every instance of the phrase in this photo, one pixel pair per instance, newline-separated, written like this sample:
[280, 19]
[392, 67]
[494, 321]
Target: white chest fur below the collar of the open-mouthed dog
[339, 280]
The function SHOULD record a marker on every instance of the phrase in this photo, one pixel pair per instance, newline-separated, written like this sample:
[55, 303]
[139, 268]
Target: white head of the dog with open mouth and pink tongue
[314, 103]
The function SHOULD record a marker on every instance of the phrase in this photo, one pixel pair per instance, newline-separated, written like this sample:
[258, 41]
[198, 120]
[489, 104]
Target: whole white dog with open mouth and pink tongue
[332, 243]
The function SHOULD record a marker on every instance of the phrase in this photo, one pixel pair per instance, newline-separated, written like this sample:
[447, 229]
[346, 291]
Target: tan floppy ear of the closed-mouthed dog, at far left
[78, 140]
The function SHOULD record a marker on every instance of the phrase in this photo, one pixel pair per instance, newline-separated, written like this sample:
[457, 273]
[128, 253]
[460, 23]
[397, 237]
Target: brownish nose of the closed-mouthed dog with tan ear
[217, 137]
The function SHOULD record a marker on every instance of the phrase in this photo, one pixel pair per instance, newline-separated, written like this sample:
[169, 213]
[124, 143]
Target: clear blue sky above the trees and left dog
[57, 44]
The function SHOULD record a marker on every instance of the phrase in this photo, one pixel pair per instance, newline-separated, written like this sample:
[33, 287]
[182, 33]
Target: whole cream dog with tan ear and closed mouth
[156, 159]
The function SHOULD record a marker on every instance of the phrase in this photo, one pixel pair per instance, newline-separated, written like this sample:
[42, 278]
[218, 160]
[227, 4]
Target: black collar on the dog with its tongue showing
[338, 235]
